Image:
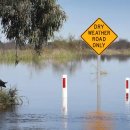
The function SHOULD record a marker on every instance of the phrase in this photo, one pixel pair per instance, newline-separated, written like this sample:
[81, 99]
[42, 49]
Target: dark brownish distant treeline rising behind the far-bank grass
[70, 43]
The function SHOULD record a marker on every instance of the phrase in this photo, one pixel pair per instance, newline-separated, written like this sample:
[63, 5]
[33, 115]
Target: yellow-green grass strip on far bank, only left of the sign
[28, 55]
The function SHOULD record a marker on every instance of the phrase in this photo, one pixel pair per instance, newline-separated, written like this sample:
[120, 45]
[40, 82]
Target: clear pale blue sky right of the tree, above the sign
[82, 13]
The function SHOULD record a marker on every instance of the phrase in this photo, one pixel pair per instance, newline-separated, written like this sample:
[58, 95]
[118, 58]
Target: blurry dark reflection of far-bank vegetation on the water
[72, 66]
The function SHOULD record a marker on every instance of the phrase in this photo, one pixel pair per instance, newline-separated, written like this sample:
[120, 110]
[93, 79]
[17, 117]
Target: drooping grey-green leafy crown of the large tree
[31, 21]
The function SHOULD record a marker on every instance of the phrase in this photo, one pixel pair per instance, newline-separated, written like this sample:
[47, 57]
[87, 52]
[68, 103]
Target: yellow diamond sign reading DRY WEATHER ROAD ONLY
[99, 36]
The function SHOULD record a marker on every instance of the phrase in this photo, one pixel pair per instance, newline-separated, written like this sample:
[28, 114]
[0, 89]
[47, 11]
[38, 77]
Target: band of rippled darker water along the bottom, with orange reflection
[44, 121]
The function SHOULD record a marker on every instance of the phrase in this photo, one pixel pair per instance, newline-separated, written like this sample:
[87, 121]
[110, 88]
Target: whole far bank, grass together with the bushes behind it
[60, 49]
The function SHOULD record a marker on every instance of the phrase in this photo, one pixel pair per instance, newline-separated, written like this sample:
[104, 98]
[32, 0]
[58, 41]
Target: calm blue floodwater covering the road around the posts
[87, 107]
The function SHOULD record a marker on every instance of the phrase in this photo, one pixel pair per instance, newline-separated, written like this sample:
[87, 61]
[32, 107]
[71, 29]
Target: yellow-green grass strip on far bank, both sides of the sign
[28, 55]
